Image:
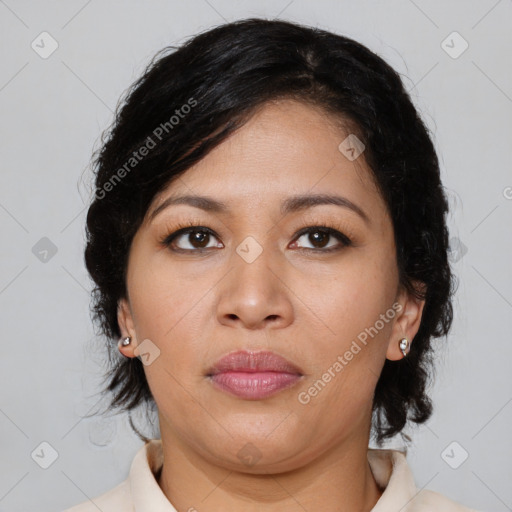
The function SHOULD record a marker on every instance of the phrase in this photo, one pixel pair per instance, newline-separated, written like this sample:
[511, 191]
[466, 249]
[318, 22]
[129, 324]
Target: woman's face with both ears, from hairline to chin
[330, 307]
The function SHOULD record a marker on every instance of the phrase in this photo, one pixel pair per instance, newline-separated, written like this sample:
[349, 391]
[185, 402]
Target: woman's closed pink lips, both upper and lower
[254, 375]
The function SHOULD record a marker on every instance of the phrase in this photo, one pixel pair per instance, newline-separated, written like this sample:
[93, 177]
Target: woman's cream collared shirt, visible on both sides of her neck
[140, 492]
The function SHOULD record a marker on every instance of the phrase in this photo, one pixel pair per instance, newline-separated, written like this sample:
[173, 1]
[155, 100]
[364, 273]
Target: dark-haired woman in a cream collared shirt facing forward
[269, 246]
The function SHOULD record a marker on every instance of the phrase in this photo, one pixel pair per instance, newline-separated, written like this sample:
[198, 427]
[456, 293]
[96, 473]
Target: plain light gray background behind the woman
[53, 112]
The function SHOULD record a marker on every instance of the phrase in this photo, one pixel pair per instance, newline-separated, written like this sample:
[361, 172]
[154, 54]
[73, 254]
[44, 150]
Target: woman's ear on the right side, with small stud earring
[407, 321]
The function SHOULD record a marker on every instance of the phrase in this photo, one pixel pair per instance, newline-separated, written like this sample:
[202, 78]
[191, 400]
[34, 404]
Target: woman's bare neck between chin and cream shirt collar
[339, 479]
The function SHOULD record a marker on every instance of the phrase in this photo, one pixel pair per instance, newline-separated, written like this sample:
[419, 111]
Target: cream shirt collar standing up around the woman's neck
[389, 468]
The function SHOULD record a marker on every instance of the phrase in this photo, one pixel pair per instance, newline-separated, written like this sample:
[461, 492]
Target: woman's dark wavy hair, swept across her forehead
[190, 98]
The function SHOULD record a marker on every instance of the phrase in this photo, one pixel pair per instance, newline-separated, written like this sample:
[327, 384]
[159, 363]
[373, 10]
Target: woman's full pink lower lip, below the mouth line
[254, 386]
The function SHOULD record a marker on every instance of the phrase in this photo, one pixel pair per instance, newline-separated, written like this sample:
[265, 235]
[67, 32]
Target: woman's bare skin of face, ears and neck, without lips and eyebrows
[307, 306]
